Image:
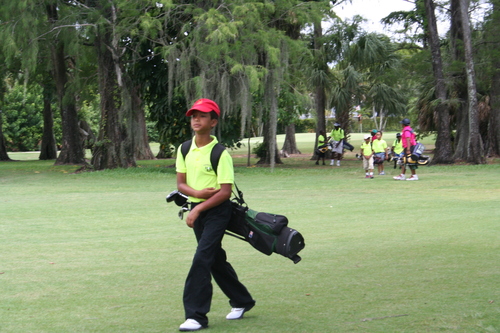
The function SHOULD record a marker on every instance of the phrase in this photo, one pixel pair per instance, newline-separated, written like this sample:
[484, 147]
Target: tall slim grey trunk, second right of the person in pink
[475, 151]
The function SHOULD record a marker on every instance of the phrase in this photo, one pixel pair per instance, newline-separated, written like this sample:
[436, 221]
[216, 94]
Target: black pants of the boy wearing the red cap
[210, 260]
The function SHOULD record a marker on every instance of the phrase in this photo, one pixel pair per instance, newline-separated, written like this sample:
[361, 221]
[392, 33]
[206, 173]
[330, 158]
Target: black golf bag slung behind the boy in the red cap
[266, 232]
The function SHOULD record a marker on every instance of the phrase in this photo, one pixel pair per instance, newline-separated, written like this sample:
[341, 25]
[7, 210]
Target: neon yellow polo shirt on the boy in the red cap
[198, 169]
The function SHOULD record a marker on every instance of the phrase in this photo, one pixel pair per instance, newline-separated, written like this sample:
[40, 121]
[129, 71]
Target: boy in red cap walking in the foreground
[209, 193]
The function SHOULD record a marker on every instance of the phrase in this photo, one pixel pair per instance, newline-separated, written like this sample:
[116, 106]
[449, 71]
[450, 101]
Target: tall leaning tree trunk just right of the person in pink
[443, 151]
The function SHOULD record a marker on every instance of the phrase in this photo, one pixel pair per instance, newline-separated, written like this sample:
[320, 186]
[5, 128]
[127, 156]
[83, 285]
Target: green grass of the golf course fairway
[103, 252]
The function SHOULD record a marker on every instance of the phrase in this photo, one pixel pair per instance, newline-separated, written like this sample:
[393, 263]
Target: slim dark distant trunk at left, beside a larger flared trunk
[48, 148]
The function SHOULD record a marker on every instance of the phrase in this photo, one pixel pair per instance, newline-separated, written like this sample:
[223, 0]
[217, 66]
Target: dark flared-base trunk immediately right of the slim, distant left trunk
[72, 150]
